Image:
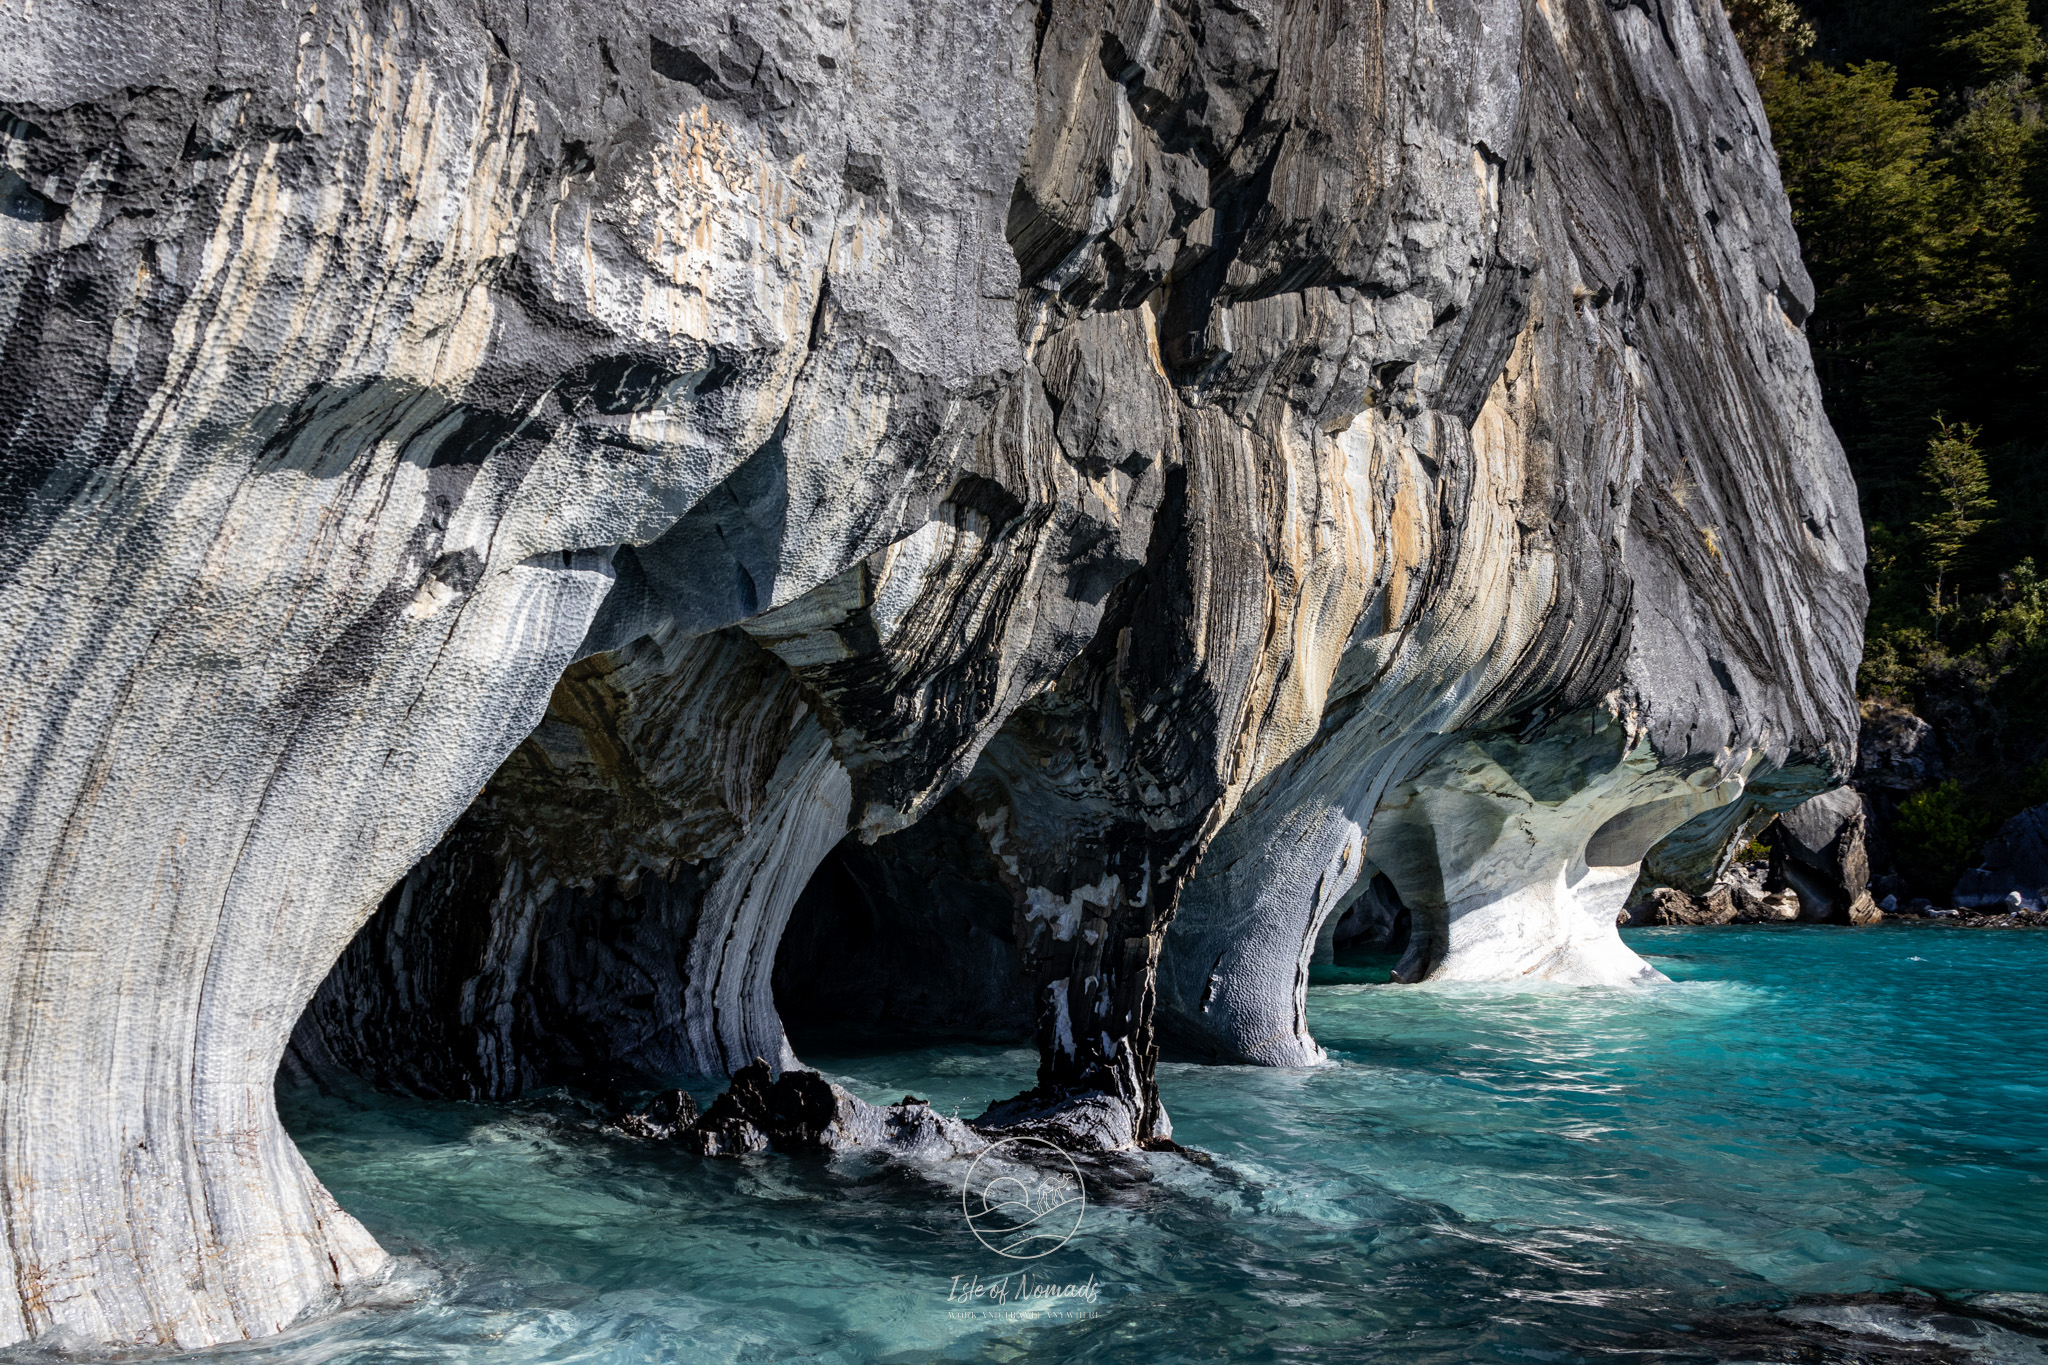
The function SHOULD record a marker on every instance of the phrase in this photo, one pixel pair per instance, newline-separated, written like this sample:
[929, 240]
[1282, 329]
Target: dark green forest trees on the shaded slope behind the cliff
[1912, 144]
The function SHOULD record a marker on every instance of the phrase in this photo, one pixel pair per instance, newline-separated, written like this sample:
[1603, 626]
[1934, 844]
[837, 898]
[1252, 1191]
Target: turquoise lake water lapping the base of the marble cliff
[1480, 1176]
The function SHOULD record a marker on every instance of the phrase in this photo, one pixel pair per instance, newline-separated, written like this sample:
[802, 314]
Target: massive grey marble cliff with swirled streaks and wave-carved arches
[1138, 472]
